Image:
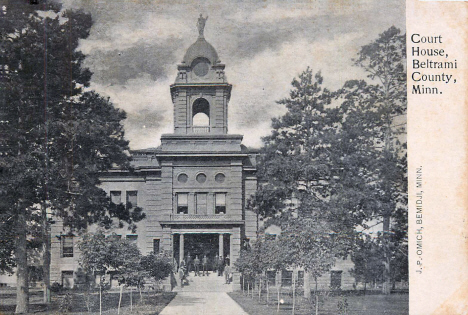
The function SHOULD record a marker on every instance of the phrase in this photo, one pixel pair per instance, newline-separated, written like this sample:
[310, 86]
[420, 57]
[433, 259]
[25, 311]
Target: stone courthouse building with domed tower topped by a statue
[193, 188]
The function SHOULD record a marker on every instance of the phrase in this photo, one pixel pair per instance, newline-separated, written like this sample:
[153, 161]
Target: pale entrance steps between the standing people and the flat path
[210, 283]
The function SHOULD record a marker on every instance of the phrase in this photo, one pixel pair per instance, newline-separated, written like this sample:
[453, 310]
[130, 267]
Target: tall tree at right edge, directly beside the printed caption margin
[377, 106]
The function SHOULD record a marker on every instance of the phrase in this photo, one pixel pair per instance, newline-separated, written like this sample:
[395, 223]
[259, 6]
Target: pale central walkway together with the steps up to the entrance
[203, 296]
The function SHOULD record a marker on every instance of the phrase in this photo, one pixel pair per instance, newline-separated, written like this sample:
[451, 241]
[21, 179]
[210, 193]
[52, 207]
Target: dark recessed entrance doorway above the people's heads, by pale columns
[201, 244]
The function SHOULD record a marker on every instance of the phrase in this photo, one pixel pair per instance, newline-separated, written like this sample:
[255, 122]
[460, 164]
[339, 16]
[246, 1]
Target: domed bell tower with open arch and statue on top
[201, 92]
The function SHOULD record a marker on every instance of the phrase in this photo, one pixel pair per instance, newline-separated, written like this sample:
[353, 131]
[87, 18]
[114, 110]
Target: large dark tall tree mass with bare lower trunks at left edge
[60, 137]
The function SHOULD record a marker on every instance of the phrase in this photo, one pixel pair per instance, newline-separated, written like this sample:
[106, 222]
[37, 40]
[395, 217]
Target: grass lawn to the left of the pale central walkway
[152, 303]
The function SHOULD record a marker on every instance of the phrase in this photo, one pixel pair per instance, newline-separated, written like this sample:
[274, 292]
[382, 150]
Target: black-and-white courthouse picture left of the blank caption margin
[204, 157]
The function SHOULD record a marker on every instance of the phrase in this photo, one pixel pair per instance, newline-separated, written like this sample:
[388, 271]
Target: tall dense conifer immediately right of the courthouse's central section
[297, 159]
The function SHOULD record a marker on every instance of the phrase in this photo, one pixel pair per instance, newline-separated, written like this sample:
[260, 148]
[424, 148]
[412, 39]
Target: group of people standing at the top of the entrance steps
[220, 265]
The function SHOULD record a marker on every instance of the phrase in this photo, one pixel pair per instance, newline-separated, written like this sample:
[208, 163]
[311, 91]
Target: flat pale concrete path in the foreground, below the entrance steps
[203, 303]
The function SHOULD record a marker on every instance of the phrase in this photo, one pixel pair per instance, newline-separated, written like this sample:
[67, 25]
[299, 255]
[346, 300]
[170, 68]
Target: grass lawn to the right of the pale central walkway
[394, 304]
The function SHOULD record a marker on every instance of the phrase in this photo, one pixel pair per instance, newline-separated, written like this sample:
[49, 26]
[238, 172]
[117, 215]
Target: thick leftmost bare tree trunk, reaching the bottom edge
[22, 274]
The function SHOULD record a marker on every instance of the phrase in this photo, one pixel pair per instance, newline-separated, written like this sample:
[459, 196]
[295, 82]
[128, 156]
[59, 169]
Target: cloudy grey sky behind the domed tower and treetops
[135, 46]
